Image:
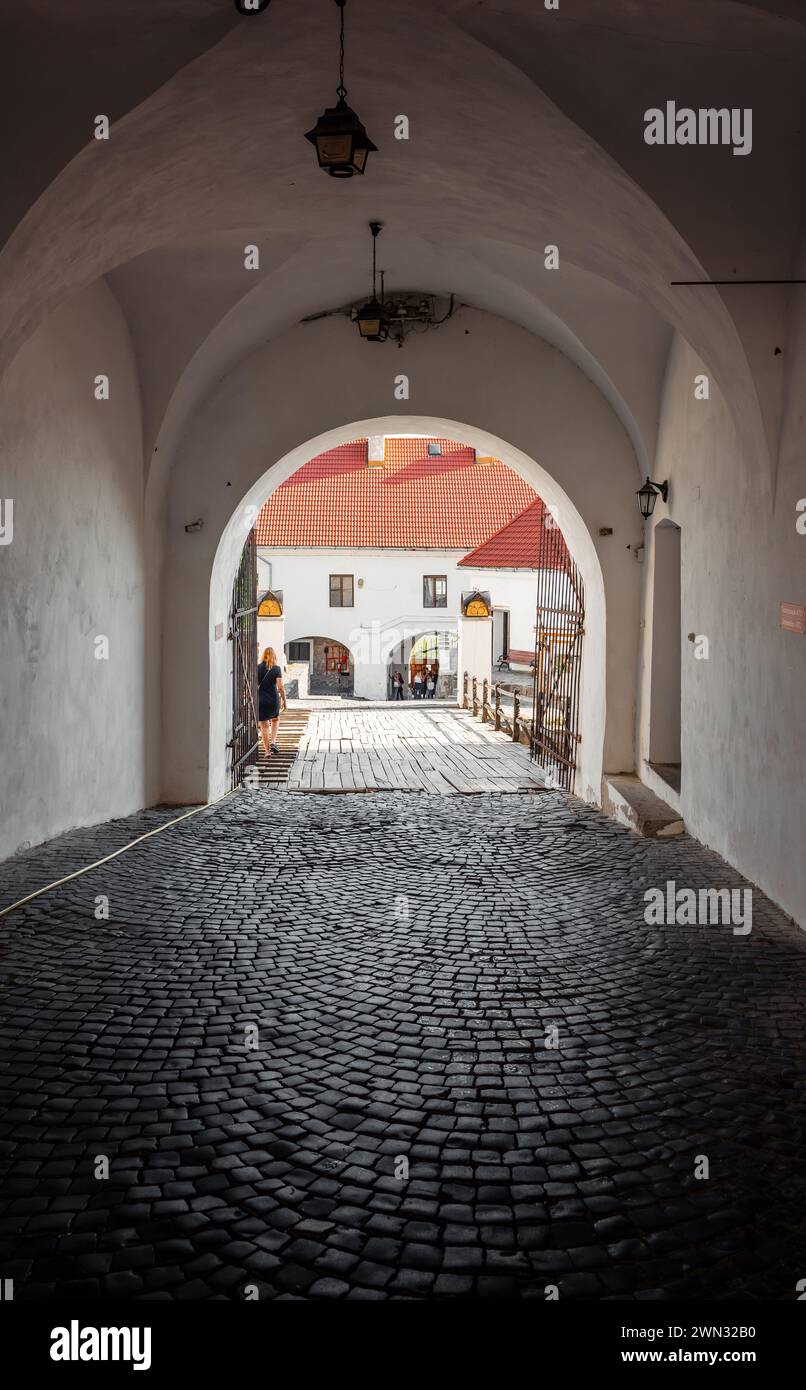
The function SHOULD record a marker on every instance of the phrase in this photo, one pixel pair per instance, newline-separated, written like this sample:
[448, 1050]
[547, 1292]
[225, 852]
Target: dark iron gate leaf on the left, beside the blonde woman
[244, 637]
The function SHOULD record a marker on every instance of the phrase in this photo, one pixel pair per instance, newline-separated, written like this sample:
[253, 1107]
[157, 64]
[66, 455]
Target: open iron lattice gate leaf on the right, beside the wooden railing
[559, 629]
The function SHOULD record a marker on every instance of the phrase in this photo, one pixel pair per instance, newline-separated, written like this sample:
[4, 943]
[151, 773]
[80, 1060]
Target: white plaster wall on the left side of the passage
[73, 735]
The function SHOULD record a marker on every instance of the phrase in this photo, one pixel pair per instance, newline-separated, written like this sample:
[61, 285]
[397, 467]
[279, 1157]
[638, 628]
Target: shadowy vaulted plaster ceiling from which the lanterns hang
[526, 130]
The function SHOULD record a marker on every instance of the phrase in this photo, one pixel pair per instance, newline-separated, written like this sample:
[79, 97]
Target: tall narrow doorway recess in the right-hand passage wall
[665, 701]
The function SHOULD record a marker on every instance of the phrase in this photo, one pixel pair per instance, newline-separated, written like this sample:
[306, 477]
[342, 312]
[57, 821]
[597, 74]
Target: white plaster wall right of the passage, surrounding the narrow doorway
[744, 710]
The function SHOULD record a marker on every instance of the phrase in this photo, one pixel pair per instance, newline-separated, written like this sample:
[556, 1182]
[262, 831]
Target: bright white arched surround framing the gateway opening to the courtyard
[593, 705]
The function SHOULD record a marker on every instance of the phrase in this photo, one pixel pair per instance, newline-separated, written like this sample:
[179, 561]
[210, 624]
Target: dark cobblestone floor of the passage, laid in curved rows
[312, 1043]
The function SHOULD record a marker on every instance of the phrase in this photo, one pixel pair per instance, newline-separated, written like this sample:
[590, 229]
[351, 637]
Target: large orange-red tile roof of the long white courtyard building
[413, 500]
